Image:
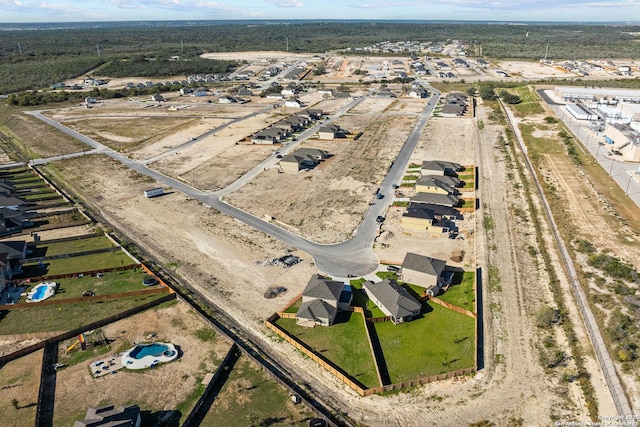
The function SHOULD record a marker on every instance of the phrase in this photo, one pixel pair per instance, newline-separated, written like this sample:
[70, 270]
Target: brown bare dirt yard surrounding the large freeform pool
[155, 389]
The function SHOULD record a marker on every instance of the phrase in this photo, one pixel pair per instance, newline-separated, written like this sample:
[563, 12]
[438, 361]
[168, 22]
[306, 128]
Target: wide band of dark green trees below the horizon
[32, 59]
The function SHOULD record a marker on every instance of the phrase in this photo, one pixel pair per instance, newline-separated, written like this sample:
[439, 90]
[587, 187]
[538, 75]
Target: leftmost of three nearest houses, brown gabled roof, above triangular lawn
[321, 301]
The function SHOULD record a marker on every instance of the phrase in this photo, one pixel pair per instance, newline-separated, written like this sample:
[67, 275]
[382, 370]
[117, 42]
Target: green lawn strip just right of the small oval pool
[110, 283]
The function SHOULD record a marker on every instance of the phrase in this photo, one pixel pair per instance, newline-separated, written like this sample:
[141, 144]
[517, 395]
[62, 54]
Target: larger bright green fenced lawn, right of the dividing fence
[441, 341]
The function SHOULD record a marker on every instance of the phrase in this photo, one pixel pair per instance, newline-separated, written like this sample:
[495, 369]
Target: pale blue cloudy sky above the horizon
[17, 11]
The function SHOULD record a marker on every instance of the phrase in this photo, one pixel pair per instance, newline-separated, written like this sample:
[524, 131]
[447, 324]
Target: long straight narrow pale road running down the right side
[606, 364]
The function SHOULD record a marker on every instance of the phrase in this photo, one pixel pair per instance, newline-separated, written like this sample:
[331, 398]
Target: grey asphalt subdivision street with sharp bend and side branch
[352, 257]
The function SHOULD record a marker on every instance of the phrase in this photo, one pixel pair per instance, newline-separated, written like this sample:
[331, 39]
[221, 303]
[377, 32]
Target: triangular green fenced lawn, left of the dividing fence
[345, 344]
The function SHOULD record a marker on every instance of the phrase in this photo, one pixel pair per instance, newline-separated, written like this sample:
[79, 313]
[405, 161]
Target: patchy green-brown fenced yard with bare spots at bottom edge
[251, 398]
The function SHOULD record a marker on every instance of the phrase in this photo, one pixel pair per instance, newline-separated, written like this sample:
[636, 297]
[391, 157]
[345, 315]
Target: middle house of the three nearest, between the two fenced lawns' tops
[394, 300]
